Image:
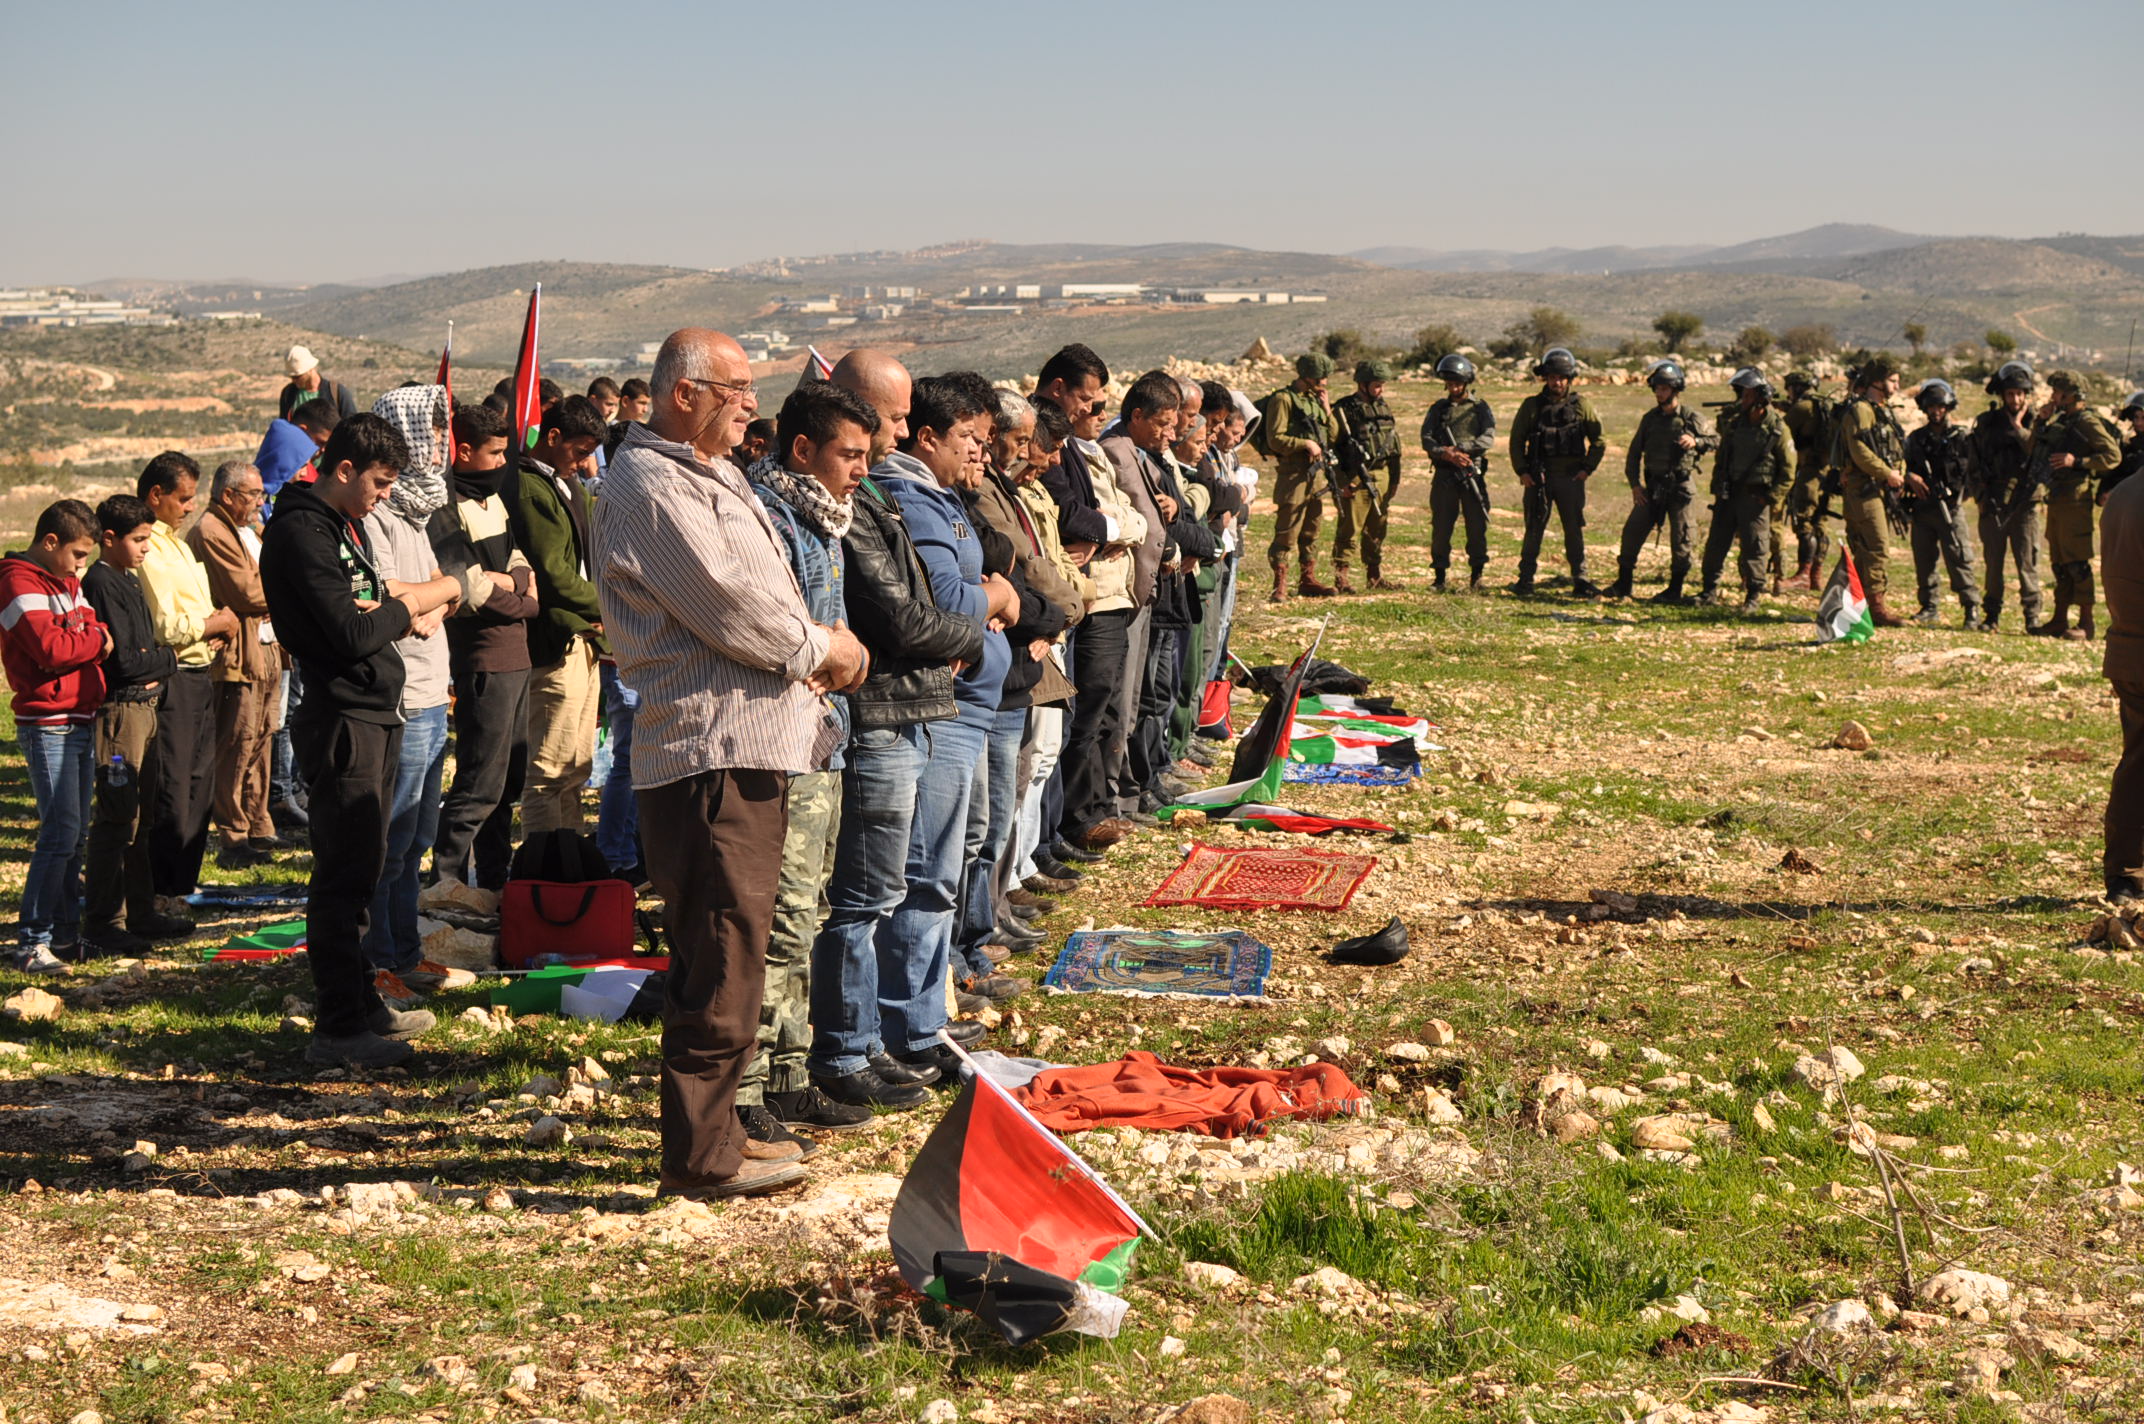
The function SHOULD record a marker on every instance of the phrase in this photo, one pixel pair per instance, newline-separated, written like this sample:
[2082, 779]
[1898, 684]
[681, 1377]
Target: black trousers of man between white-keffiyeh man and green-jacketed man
[492, 760]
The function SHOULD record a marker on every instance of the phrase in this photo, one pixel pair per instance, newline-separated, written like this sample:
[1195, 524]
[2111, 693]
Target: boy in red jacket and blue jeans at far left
[53, 647]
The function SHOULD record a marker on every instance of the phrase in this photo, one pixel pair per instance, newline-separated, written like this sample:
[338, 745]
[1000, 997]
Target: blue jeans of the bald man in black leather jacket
[878, 810]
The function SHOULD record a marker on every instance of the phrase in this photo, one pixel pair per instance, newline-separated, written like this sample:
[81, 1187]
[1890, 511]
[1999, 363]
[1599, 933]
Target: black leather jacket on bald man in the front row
[912, 640]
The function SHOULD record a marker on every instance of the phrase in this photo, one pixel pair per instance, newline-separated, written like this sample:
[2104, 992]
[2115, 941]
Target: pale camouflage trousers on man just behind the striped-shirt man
[799, 910]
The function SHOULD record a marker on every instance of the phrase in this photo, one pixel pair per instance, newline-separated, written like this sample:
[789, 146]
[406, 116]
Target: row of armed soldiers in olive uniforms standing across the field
[2034, 469]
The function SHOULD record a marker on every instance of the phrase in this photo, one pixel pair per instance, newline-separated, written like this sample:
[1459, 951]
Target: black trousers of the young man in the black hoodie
[351, 771]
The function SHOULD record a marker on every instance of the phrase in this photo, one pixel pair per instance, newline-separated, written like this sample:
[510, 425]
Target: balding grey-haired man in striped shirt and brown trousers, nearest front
[709, 625]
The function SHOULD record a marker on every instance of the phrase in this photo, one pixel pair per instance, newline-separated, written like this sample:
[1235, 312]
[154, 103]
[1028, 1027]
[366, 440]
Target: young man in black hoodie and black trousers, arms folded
[342, 619]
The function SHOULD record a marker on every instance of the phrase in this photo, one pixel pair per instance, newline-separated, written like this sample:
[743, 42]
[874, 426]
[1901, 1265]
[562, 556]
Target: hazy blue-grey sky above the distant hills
[164, 138]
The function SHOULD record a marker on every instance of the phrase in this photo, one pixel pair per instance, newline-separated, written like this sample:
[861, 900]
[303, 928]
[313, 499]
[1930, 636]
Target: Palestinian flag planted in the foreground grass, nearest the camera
[1002, 1219]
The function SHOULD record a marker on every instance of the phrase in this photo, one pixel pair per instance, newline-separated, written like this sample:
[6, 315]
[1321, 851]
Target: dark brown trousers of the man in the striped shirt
[717, 867]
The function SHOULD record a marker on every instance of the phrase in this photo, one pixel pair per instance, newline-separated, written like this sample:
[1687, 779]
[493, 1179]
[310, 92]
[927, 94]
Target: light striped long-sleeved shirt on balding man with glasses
[706, 619]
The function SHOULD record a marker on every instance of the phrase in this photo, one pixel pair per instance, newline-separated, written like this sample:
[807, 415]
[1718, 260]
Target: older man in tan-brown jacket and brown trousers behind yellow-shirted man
[248, 668]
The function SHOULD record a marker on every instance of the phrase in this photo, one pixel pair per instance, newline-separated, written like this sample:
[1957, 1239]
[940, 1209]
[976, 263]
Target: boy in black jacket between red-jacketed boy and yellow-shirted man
[119, 913]
